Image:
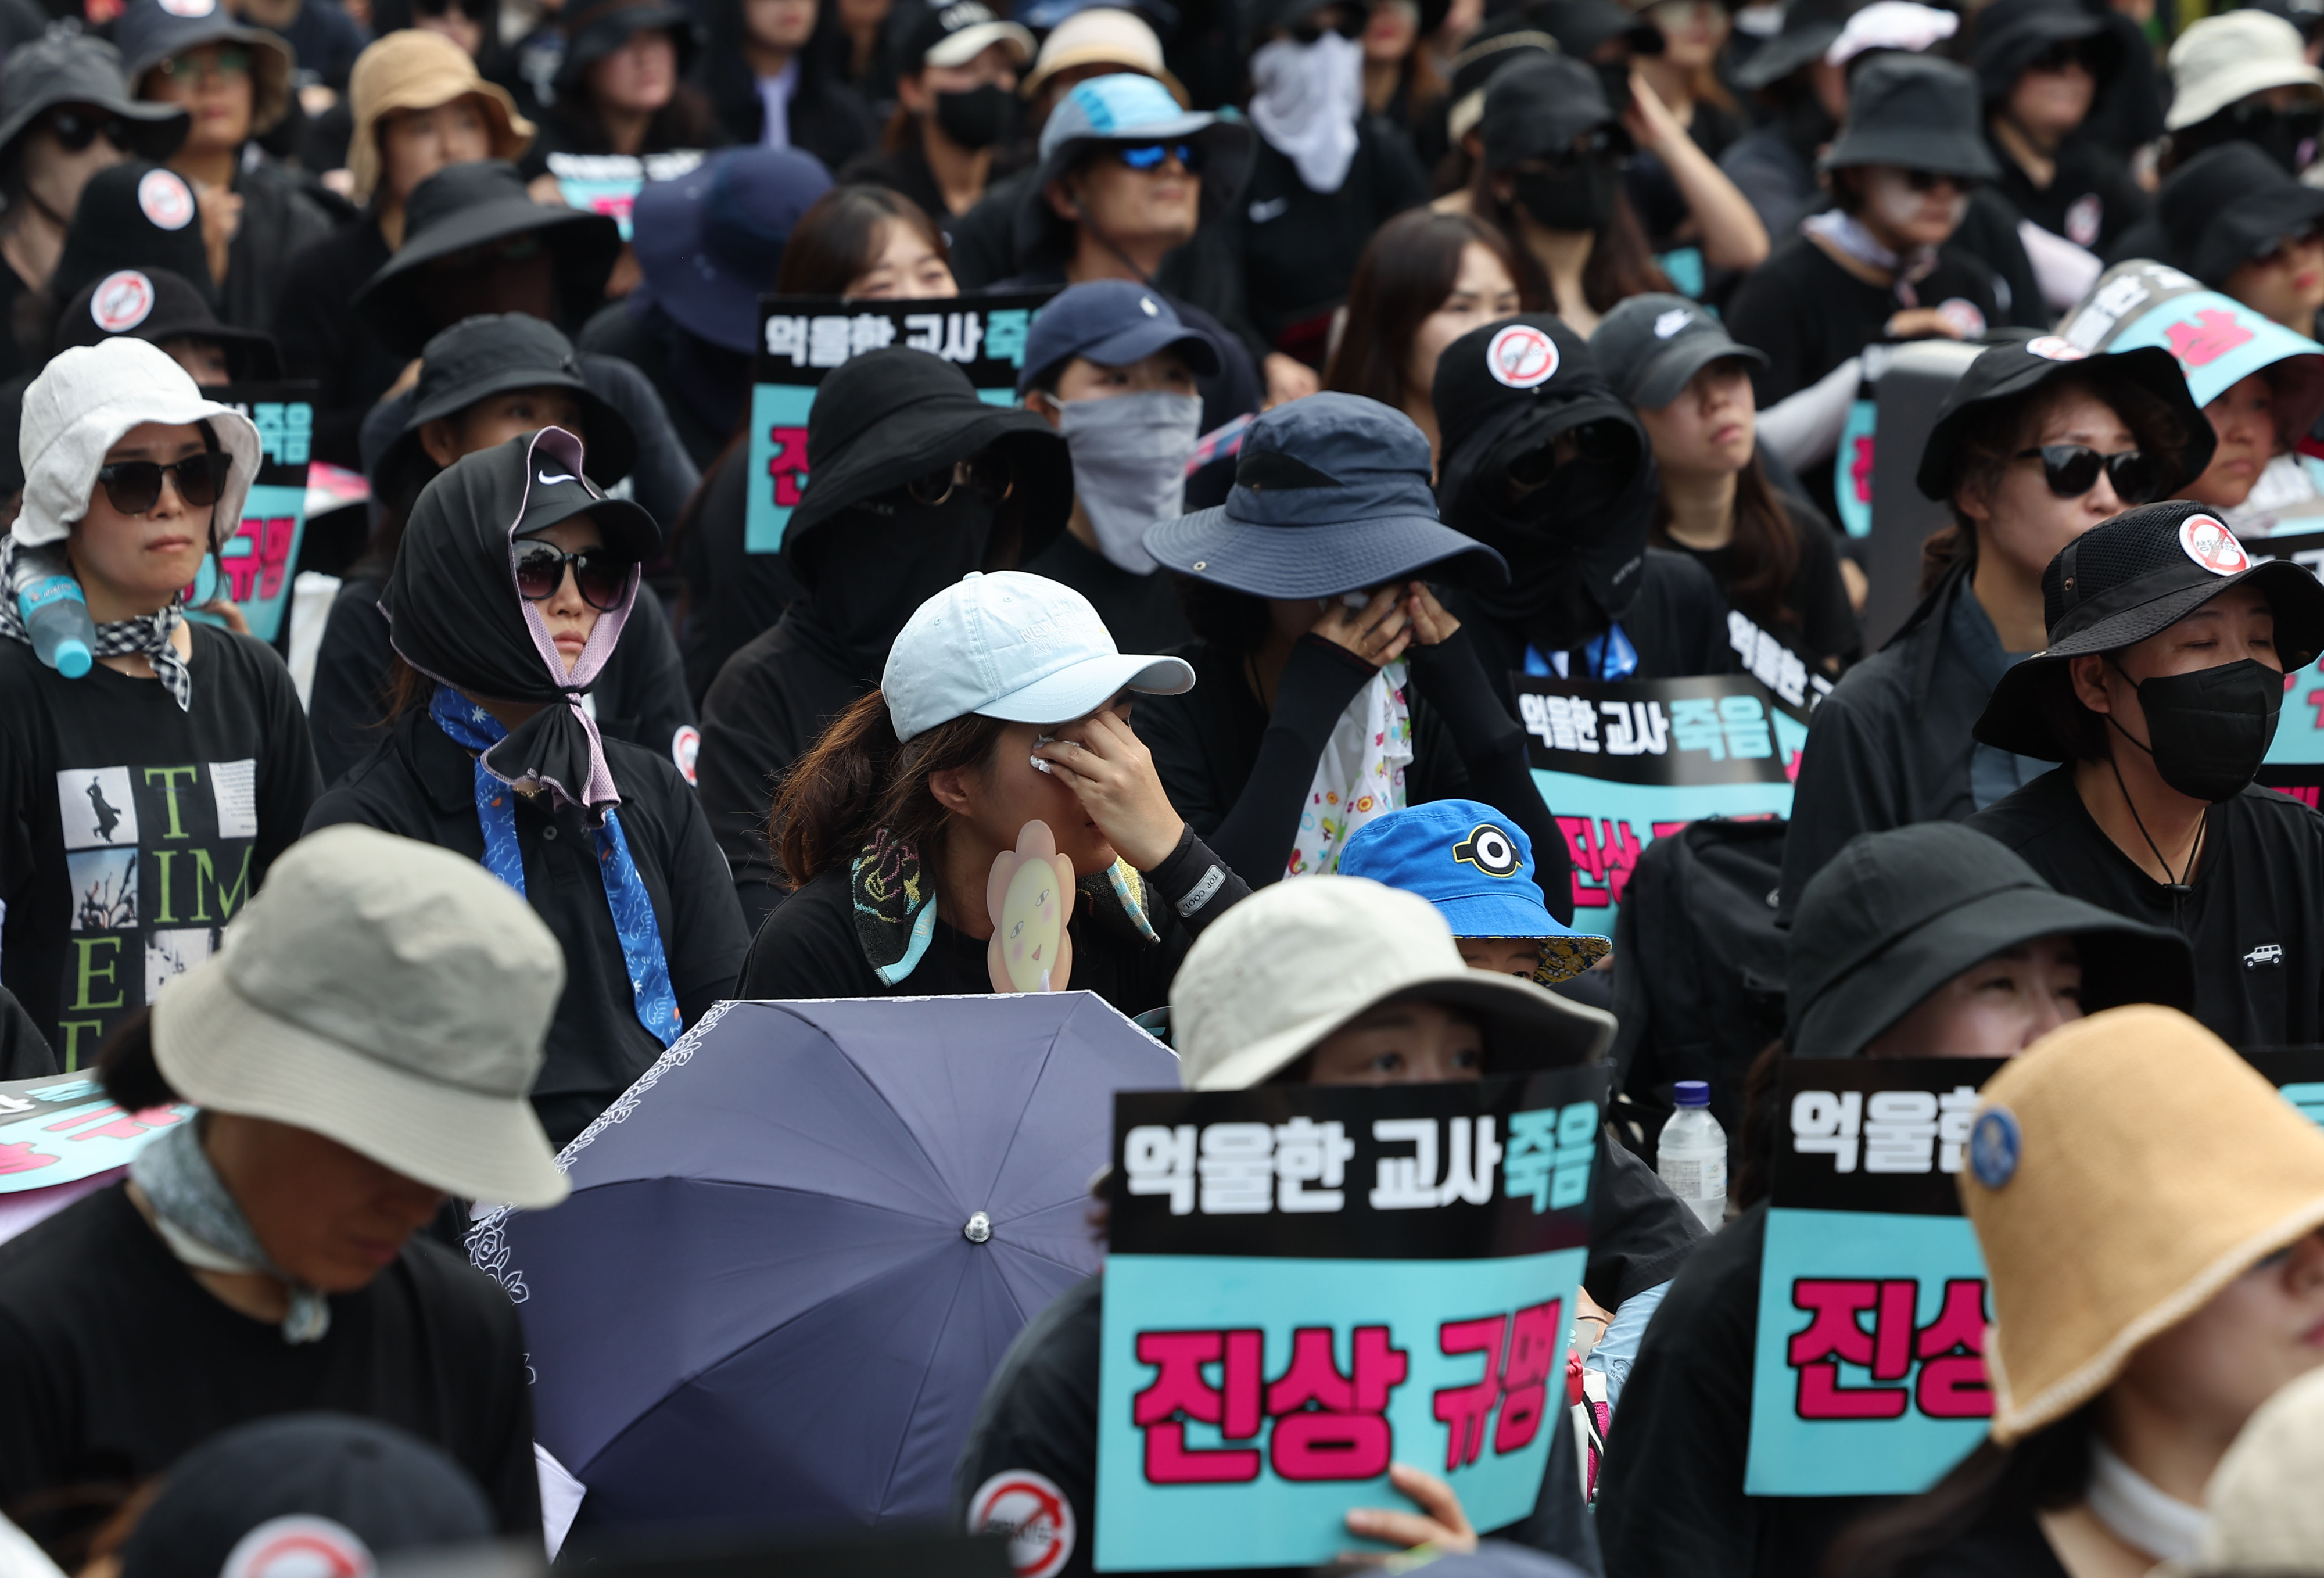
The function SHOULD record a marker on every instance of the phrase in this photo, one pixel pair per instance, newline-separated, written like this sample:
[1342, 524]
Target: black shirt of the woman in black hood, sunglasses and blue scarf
[422, 784]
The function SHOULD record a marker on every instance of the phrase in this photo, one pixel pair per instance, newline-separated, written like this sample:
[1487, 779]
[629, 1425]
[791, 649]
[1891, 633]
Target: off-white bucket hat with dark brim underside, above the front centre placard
[1298, 961]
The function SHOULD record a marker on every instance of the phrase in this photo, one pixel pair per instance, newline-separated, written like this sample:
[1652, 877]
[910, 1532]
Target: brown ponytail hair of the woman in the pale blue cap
[859, 780]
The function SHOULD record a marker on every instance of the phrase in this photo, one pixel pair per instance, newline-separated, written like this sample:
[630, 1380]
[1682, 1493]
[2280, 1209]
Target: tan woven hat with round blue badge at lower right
[2123, 1172]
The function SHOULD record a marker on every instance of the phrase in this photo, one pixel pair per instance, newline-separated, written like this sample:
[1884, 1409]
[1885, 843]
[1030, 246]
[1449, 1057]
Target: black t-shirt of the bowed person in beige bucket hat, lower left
[115, 1361]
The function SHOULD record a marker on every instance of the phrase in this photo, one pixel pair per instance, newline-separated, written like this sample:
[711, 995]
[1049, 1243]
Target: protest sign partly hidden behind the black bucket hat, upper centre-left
[801, 338]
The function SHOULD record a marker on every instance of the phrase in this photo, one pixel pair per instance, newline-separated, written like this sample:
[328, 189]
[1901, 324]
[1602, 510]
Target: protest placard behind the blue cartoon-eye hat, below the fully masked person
[1626, 763]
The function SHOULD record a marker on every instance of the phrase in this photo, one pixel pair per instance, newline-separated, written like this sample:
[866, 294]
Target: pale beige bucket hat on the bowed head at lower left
[389, 996]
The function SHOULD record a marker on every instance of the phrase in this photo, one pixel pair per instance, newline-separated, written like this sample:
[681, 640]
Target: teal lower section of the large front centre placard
[1272, 1521]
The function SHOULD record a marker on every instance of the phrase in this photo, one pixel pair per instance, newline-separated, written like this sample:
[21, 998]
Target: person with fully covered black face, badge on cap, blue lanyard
[1551, 468]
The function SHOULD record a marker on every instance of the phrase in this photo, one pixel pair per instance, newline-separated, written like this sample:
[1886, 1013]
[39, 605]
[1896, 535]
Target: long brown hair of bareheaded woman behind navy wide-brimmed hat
[1405, 275]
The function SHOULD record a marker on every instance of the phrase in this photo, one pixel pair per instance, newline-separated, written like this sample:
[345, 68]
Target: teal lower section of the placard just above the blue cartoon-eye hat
[1612, 824]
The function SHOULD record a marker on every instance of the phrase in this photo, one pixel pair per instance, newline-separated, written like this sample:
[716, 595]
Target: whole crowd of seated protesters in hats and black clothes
[1391, 357]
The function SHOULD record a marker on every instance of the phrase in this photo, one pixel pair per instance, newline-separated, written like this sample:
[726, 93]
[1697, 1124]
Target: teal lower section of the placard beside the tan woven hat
[1793, 1456]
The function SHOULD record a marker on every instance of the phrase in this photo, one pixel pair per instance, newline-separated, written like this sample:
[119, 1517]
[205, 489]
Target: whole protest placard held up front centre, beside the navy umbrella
[1307, 1284]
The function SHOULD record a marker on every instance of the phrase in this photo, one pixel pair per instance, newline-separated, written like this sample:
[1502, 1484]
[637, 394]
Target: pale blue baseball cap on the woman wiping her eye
[1012, 647]
